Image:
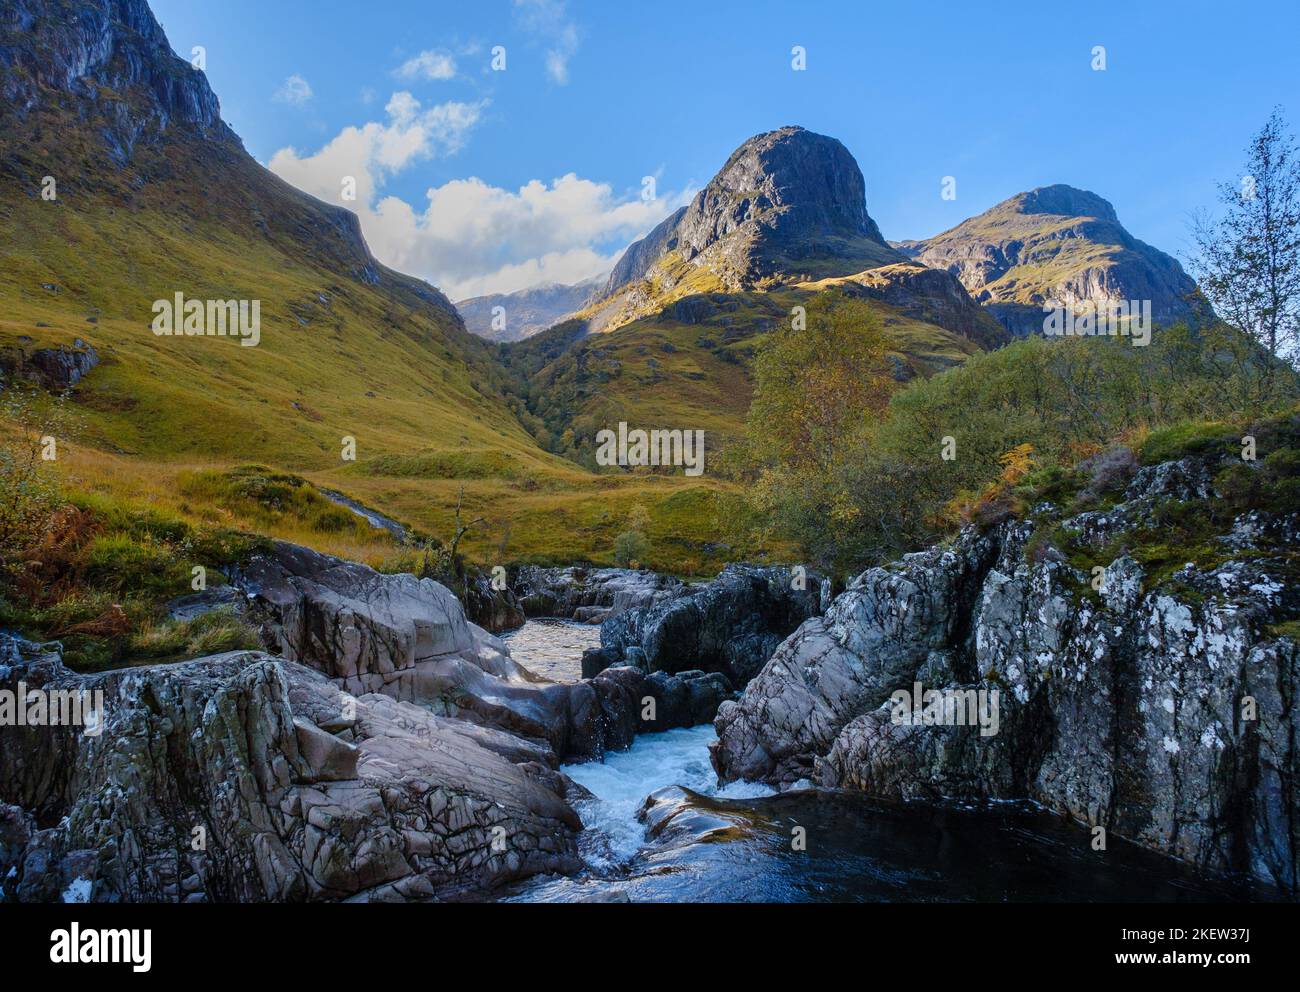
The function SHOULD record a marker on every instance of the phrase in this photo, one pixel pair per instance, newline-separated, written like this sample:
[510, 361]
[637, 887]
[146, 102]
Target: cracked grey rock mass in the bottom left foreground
[248, 778]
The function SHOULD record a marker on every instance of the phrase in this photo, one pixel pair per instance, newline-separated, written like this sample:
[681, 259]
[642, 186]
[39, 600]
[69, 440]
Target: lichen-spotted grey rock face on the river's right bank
[1162, 709]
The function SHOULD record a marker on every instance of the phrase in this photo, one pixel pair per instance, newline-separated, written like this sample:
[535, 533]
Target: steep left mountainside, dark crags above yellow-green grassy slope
[155, 197]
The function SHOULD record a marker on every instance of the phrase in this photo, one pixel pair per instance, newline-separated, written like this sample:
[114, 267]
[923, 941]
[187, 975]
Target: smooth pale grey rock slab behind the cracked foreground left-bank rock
[409, 639]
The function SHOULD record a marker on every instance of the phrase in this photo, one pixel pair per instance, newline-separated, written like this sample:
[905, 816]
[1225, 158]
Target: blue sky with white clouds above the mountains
[489, 181]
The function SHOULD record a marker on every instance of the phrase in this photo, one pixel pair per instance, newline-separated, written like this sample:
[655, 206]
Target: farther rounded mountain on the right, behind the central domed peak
[1055, 244]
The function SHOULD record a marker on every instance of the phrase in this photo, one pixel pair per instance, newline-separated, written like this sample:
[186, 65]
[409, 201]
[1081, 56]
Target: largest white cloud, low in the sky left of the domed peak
[469, 237]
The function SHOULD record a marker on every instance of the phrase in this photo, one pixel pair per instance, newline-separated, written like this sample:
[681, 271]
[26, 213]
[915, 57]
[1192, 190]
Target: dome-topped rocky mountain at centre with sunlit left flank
[673, 336]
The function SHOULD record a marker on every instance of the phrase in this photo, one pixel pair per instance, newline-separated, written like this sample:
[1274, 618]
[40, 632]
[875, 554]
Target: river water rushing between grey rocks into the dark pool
[744, 843]
